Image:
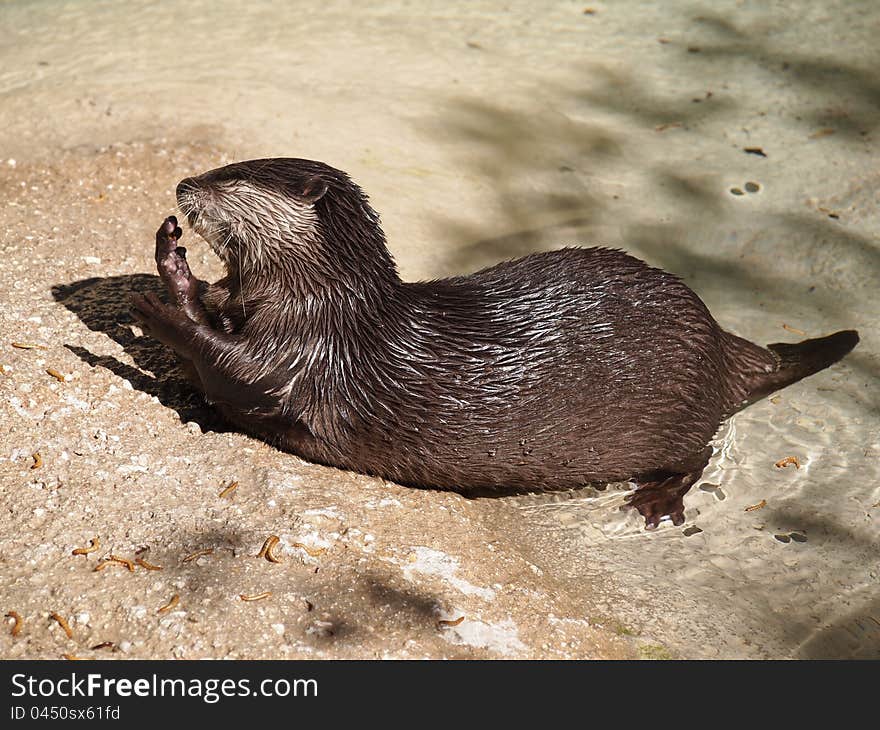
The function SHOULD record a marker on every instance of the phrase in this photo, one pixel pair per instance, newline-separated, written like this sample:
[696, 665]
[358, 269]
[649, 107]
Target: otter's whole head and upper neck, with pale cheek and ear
[288, 221]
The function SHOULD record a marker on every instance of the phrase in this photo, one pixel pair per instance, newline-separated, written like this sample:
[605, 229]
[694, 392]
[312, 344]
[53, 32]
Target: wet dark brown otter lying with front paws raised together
[560, 369]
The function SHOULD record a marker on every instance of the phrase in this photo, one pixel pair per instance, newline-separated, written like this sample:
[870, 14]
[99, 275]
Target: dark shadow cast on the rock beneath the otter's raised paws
[102, 304]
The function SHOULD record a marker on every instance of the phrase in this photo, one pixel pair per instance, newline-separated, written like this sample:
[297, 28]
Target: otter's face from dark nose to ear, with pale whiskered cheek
[253, 213]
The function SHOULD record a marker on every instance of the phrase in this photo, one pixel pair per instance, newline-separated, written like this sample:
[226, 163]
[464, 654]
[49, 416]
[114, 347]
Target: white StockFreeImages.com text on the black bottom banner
[209, 690]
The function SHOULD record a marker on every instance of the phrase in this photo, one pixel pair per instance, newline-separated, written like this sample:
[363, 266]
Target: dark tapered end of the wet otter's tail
[798, 360]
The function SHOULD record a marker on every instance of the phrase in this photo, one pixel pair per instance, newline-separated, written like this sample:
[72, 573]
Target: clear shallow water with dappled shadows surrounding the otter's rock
[488, 130]
